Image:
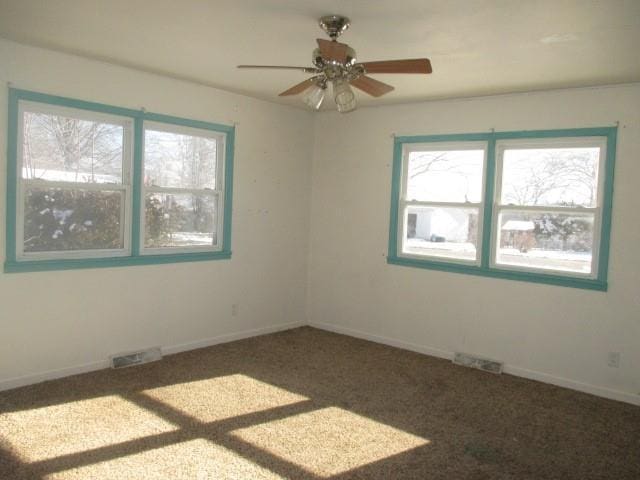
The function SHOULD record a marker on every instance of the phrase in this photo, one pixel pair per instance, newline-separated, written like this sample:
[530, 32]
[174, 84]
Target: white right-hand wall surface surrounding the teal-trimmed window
[556, 334]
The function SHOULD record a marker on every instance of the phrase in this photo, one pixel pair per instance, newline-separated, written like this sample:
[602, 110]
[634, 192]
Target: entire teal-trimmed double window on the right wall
[521, 205]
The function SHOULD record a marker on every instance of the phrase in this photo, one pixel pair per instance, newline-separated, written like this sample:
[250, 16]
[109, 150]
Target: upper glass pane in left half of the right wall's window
[445, 176]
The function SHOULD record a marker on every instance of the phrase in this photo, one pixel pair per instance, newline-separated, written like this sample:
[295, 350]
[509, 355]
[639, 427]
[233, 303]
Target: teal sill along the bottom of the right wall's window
[550, 279]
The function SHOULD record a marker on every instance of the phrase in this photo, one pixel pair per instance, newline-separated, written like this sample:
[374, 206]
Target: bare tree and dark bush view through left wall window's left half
[61, 158]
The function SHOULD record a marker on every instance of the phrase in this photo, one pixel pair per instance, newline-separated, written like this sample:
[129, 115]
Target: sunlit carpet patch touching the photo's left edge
[48, 432]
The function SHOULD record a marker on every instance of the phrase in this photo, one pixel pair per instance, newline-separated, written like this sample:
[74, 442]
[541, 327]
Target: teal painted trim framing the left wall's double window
[12, 265]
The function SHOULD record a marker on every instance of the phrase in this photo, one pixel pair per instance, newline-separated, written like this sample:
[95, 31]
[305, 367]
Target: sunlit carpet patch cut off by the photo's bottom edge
[192, 460]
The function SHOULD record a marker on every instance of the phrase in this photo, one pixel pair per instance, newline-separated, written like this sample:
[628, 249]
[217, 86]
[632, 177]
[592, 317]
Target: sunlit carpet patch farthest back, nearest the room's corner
[223, 397]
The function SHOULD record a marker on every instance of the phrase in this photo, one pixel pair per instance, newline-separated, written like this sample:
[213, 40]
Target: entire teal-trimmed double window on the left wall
[92, 185]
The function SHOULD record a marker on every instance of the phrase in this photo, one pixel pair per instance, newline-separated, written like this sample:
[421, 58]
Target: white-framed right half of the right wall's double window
[548, 205]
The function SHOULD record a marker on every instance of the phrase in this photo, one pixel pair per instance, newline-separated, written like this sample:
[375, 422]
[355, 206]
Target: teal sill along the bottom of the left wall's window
[72, 264]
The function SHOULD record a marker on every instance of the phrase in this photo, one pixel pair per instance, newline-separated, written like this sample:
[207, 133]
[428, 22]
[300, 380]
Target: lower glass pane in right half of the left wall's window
[180, 220]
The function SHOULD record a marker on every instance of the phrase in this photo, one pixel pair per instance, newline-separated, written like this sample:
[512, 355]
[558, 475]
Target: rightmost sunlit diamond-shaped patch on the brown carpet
[329, 441]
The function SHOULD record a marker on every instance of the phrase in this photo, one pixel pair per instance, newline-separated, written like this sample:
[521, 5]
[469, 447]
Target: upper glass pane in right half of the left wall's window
[179, 161]
